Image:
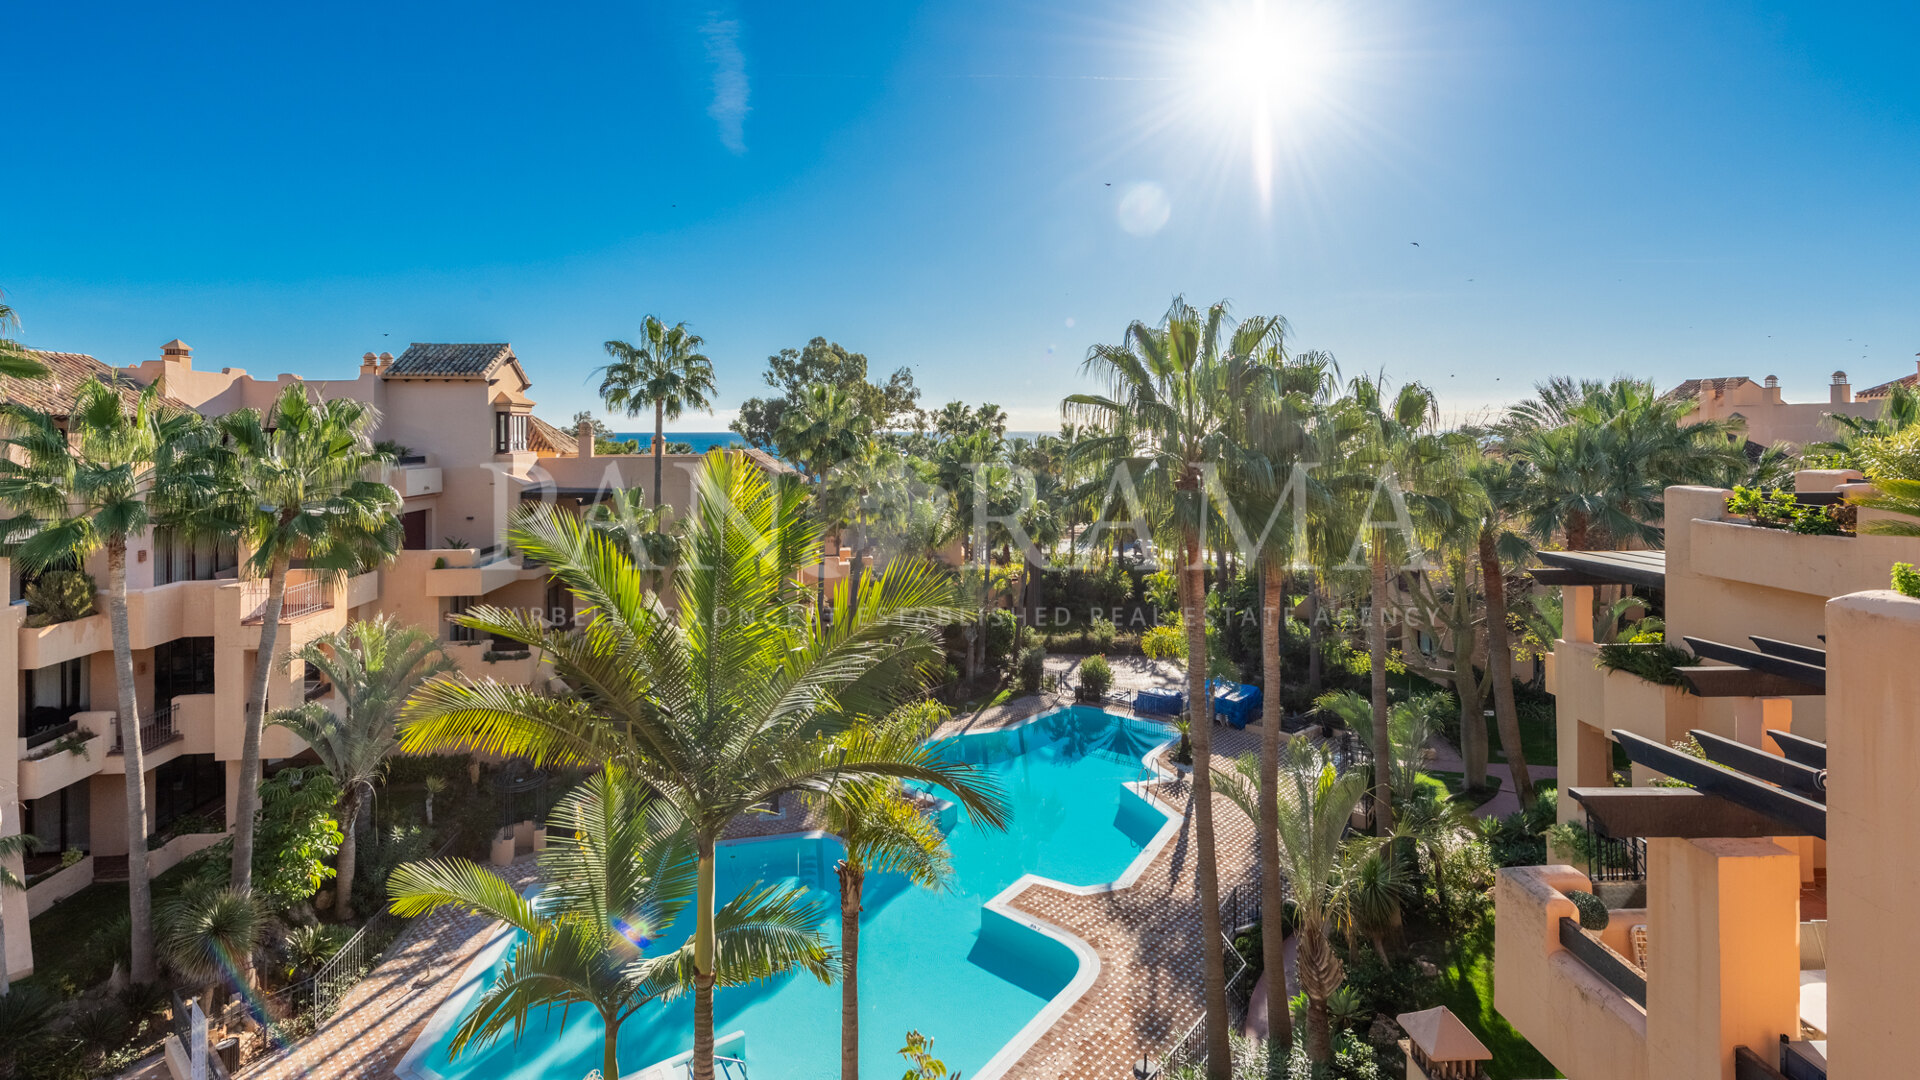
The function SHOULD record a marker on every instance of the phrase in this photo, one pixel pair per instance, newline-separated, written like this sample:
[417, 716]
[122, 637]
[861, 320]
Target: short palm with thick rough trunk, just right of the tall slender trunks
[1312, 808]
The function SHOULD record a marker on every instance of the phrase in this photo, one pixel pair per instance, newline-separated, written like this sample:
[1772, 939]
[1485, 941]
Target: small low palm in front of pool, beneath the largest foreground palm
[619, 870]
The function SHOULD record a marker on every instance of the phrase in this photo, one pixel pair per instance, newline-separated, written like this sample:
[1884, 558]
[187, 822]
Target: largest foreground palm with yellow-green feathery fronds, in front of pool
[734, 697]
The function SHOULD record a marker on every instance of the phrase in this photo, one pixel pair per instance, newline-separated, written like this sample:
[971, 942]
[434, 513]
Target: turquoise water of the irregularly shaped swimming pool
[940, 964]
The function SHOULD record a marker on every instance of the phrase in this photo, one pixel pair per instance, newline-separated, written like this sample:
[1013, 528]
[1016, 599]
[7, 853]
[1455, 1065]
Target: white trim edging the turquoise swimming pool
[412, 1066]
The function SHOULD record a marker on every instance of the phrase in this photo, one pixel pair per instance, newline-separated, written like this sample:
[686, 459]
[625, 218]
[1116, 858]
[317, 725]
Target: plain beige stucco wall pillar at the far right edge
[1873, 806]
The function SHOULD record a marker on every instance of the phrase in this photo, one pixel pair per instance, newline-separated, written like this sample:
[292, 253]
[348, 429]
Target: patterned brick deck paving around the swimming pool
[1147, 937]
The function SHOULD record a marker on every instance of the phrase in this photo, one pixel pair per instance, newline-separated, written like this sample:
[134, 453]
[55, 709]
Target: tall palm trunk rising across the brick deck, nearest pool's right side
[1207, 873]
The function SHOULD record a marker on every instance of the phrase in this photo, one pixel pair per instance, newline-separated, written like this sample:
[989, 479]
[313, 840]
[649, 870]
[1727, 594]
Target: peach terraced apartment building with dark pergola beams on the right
[1760, 918]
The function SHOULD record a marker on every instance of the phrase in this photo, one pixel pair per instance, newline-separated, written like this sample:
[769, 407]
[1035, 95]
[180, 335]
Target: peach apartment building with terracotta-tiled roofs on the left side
[471, 453]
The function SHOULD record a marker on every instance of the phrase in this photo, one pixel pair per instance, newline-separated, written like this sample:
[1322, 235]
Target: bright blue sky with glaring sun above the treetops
[974, 189]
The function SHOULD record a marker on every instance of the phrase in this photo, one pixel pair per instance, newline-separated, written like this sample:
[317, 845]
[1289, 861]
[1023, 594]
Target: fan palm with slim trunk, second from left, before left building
[295, 485]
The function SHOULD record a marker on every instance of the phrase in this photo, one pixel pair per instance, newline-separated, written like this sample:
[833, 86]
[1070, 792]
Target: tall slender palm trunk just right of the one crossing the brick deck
[1272, 921]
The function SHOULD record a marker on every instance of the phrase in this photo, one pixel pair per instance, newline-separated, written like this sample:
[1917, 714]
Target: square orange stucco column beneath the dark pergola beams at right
[1723, 954]
